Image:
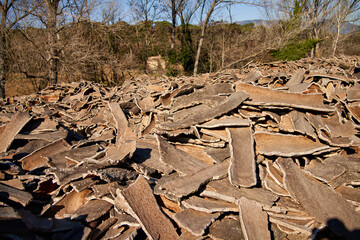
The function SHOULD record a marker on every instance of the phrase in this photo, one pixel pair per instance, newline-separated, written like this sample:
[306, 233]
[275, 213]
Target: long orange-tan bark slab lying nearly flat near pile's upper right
[268, 97]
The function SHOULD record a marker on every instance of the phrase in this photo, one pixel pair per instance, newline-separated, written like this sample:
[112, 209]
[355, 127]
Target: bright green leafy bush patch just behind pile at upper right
[295, 50]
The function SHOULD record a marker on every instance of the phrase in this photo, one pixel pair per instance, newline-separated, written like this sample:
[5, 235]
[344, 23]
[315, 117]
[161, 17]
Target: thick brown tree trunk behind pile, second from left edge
[53, 61]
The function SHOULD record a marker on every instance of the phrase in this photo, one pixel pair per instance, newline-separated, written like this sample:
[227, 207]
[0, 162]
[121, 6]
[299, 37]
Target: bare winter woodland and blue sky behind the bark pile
[49, 41]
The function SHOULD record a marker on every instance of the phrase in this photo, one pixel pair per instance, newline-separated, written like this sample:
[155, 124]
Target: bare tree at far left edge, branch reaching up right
[11, 11]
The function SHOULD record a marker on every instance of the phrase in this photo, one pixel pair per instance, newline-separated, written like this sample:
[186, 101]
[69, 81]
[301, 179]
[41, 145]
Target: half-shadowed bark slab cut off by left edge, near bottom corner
[14, 194]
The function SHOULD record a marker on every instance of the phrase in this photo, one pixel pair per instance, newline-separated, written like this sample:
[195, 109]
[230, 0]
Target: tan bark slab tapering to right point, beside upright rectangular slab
[286, 145]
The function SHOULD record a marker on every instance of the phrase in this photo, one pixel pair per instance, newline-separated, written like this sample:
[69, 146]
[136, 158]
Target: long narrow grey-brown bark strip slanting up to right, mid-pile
[233, 101]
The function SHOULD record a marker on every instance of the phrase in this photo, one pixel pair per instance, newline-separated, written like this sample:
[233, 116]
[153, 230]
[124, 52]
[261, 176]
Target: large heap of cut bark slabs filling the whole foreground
[270, 151]
